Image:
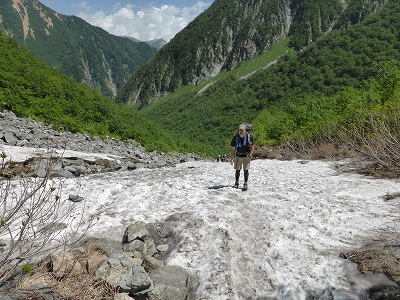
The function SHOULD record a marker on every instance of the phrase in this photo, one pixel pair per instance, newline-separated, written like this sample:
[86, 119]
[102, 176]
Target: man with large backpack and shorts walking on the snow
[242, 147]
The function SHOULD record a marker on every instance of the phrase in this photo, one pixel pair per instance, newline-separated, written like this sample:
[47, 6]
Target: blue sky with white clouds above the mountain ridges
[142, 19]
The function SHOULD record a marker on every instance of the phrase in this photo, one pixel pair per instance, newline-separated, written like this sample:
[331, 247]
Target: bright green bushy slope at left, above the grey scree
[30, 88]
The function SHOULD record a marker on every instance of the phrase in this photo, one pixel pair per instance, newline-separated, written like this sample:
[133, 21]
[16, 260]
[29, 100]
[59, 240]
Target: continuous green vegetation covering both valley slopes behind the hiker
[306, 95]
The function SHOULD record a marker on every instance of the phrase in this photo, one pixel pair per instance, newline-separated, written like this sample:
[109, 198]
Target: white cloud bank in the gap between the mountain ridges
[148, 22]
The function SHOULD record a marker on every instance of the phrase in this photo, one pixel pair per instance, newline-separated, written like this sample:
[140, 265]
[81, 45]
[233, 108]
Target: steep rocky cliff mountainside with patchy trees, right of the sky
[231, 32]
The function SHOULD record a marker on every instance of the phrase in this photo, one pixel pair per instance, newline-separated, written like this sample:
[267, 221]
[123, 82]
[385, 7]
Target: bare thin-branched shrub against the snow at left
[34, 217]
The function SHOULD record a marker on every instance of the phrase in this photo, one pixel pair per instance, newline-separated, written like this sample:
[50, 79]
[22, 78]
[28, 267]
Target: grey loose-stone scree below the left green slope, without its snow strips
[25, 133]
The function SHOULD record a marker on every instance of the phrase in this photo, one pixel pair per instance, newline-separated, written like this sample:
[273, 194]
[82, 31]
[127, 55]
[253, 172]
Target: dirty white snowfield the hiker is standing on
[281, 239]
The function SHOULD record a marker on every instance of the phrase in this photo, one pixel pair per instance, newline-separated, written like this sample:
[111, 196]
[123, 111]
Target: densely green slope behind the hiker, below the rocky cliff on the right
[339, 61]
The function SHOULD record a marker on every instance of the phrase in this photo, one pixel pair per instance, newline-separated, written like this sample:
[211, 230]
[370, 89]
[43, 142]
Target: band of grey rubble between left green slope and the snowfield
[128, 155]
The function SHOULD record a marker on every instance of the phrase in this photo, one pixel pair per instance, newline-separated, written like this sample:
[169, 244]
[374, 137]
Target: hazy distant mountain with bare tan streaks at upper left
[86, 53]
